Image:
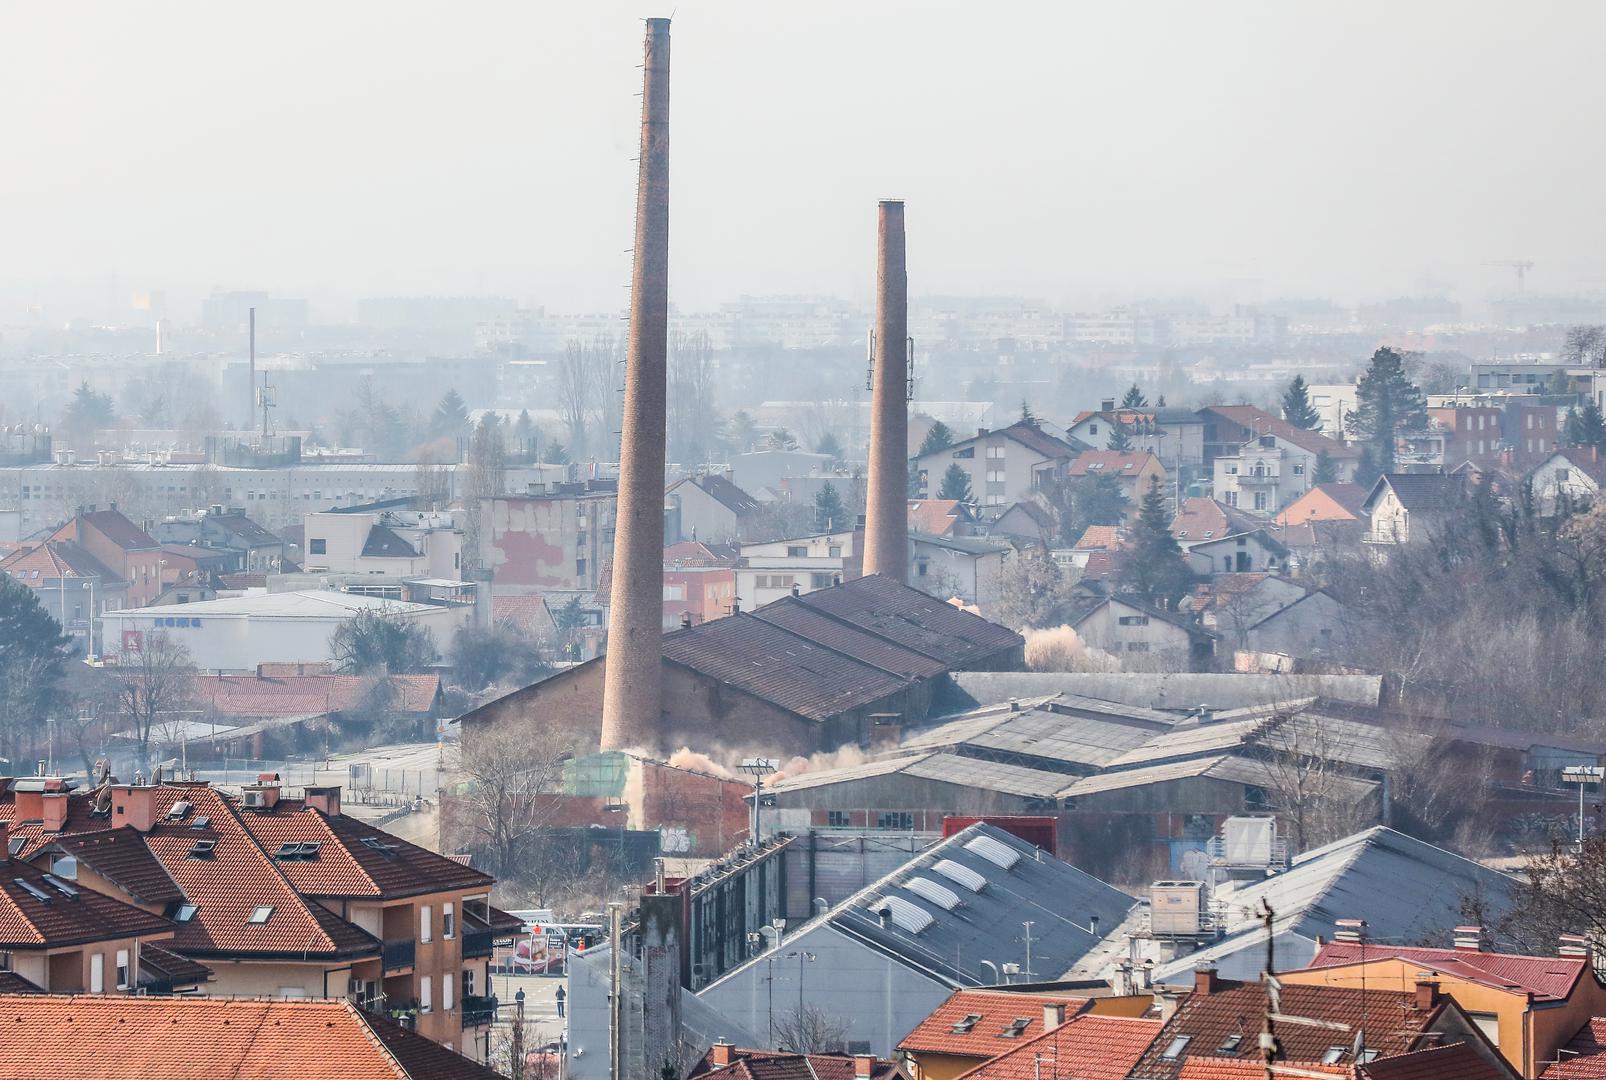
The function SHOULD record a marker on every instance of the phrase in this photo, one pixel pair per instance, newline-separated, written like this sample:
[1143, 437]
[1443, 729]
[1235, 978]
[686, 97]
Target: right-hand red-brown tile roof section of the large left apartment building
[354, 859]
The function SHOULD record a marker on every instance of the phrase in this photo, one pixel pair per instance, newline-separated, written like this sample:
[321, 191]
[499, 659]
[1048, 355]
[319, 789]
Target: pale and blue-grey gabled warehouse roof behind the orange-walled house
[1406, 890]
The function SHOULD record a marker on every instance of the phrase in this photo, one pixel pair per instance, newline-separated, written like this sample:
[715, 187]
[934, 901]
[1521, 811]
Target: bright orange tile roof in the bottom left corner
[118, 1037]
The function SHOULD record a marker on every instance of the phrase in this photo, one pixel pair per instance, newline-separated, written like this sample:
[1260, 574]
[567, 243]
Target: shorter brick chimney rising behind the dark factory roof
[887, 512]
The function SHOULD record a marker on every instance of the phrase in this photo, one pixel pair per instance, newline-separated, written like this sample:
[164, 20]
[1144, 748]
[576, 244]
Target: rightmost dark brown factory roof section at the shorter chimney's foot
[915, 621]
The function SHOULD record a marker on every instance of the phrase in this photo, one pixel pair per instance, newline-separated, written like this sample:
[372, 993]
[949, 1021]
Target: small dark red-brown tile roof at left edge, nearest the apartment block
[54, 918]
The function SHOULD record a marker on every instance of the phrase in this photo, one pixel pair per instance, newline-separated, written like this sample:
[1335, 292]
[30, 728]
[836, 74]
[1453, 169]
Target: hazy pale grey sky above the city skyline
[1059, 150]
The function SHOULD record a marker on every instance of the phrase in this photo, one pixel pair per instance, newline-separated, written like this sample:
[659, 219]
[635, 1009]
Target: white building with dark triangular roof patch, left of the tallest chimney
[388, 539]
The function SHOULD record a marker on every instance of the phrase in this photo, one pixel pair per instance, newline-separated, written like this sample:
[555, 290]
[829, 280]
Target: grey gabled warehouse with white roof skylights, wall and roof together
[892, 954]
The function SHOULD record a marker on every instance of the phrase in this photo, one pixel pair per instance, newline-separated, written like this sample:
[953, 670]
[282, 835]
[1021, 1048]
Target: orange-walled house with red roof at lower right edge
[1528, 1007]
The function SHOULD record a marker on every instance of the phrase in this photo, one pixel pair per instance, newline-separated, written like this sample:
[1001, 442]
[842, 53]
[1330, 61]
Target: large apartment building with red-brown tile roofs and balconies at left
[287, 898]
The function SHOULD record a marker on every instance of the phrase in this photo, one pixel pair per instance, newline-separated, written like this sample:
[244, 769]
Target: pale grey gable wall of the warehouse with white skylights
[873, 996]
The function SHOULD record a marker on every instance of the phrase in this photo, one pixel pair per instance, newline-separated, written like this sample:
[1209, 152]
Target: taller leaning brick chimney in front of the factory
[632, 690]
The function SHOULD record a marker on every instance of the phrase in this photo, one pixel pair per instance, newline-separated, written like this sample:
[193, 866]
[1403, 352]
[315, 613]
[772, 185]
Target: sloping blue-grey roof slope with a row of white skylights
[987, 925]
